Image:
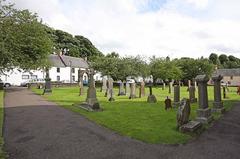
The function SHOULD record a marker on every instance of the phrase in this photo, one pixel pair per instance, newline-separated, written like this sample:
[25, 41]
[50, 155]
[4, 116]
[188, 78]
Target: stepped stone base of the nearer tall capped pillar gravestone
[204, 115]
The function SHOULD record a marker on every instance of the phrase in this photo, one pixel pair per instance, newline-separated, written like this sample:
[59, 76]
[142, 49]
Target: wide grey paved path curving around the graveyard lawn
[37, 129]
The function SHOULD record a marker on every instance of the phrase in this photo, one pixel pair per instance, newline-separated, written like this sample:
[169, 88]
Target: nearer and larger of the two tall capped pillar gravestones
[203, 112]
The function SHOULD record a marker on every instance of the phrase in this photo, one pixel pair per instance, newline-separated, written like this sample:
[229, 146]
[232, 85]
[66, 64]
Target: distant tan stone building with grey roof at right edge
[230, 76]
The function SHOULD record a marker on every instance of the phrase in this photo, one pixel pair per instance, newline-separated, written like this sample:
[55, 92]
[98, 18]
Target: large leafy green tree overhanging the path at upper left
[23, 40]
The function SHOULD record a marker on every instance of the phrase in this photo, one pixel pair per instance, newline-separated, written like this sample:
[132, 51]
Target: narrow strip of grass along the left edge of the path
[2, 154]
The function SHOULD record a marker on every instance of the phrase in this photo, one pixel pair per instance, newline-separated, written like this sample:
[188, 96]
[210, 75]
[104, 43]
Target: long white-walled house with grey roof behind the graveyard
[63, 69]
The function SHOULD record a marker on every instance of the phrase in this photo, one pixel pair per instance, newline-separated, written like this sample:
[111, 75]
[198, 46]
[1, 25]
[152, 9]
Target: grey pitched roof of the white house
[67, 61]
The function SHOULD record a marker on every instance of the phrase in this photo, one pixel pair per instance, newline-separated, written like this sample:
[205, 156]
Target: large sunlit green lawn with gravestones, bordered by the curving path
[136, 118]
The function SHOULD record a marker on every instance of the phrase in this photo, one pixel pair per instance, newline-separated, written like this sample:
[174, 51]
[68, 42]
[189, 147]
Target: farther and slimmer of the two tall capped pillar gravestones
[217, 104]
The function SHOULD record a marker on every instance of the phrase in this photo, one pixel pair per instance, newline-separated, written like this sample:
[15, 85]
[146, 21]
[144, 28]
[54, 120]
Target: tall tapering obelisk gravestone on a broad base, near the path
[91, 103]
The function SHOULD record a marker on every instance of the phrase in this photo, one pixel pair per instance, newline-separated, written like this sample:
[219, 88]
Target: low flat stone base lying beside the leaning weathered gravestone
[191, 126]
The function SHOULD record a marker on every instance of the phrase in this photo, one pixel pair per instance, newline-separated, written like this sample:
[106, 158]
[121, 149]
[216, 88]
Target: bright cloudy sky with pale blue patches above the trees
[175, 28]
